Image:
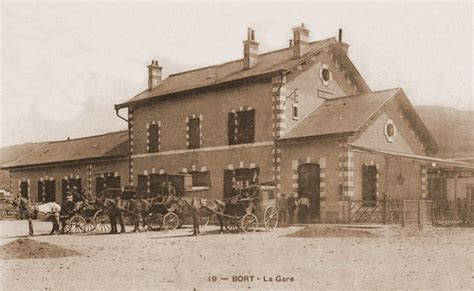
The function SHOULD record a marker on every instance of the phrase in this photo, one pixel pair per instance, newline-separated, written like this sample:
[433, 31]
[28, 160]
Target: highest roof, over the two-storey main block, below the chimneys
[270, 62]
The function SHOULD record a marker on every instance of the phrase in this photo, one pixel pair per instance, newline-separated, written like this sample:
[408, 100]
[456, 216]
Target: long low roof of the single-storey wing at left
[105, 146]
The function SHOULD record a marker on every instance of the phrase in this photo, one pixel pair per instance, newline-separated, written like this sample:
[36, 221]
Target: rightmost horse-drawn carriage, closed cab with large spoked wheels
[243, 212]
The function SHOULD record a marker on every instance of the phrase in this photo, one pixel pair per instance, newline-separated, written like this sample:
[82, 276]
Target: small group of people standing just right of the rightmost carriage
[289, 206]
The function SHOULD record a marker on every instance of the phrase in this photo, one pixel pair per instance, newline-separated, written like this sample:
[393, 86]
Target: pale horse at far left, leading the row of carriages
[30, 210]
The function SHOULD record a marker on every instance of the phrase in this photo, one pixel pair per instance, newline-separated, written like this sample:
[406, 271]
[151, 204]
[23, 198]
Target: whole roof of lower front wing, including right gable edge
[347, 116]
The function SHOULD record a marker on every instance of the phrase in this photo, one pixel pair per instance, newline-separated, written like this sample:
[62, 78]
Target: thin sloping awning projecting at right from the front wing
[432, 161]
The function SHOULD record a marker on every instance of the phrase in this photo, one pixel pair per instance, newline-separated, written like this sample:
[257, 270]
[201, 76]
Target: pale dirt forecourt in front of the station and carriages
[320, 257]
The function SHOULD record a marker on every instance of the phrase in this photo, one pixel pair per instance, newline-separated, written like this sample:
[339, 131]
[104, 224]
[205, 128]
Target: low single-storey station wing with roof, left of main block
[46, 172]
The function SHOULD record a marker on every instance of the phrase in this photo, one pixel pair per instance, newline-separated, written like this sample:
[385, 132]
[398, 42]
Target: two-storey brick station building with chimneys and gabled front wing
[302, 117]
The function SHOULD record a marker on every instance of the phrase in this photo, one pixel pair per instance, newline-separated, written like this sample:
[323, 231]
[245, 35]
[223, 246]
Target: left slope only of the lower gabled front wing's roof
[343, 115]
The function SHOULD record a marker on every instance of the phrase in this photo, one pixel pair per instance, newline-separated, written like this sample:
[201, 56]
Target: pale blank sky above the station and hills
[64, 66]
